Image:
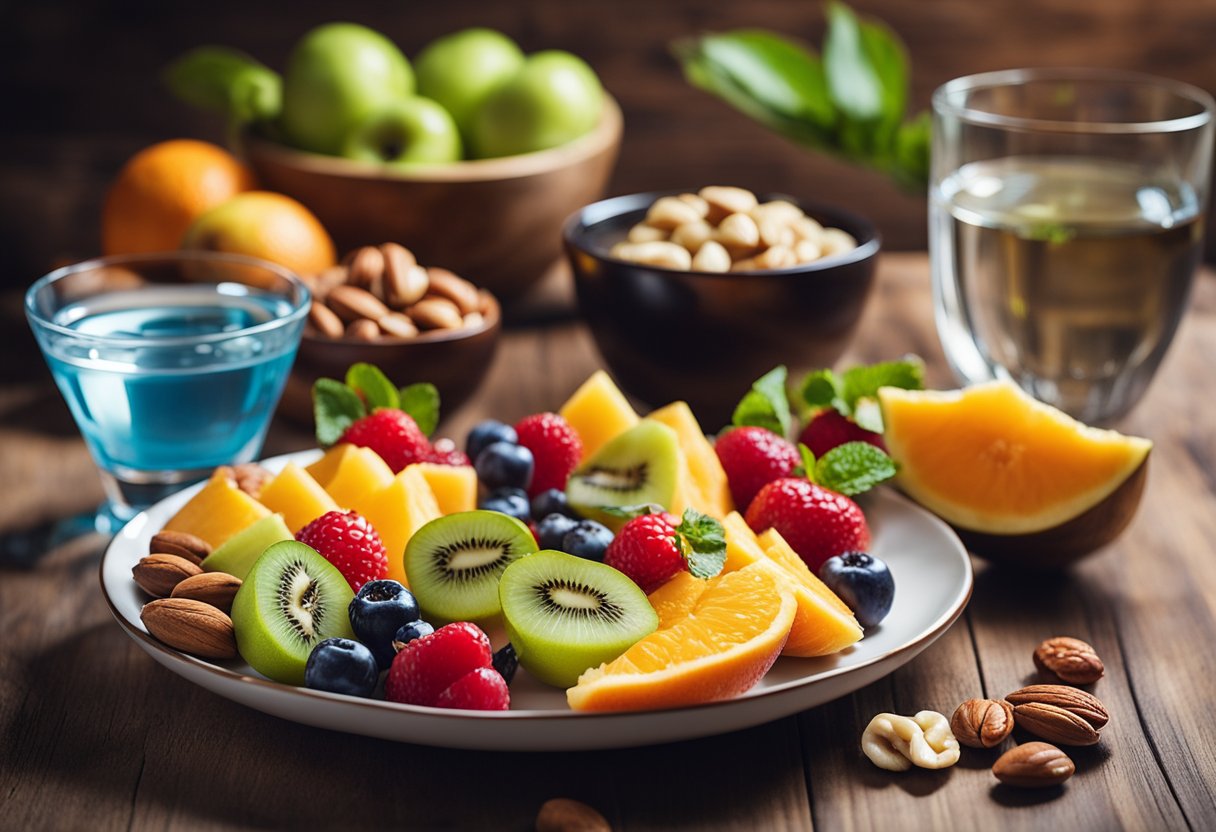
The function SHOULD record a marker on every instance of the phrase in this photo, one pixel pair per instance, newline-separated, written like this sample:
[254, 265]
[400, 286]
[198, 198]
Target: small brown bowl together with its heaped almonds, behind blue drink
[414, 322]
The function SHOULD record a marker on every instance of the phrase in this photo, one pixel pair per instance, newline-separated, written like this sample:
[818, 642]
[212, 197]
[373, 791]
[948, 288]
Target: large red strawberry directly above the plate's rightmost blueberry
[817, 522]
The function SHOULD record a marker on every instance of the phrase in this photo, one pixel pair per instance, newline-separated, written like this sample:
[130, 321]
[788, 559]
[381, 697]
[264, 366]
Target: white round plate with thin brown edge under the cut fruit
[933, 580]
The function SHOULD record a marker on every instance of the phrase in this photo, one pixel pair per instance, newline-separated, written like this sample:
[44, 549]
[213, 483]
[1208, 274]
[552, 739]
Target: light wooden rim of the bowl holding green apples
[603, 138]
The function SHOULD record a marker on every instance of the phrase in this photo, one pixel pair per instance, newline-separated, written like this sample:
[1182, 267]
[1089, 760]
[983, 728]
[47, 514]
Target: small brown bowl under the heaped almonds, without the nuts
[454, 361]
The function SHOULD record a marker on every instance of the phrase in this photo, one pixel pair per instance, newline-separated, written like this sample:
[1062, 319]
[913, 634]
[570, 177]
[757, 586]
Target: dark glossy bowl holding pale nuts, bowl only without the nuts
[705, 338]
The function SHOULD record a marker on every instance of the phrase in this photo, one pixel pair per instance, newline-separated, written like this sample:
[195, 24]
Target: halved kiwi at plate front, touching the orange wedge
[566, 615]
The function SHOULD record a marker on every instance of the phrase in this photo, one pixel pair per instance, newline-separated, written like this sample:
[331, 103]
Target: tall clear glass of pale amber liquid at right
[1067, 217]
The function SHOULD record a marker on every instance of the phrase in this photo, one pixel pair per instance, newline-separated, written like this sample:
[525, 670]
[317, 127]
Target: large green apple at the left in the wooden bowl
[337, 76]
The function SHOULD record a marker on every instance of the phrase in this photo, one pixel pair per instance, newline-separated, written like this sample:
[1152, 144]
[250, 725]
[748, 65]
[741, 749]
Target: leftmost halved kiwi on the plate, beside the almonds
[291, 600]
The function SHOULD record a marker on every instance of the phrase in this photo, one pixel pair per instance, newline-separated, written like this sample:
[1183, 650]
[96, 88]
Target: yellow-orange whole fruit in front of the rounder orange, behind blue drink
[268, 226]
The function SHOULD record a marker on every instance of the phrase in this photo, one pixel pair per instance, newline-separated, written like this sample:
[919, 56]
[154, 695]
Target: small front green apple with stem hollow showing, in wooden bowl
[407, 132]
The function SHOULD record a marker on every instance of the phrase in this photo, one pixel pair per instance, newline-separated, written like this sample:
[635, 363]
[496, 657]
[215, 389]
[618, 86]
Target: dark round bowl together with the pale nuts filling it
[696, 295]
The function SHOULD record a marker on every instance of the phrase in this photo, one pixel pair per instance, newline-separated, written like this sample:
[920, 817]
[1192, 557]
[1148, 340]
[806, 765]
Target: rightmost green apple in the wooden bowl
[554, 99]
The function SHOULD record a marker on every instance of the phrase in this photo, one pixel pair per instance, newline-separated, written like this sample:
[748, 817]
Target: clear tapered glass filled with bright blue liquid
[172, 364]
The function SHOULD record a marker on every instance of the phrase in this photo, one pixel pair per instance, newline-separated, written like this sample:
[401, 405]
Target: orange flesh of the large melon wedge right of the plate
[993, 459]
